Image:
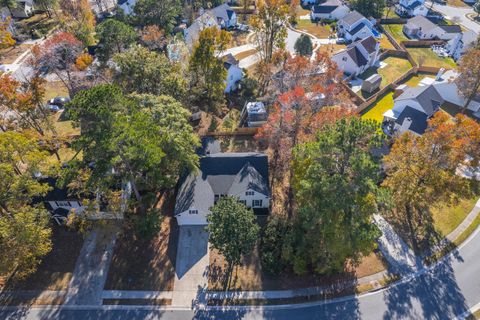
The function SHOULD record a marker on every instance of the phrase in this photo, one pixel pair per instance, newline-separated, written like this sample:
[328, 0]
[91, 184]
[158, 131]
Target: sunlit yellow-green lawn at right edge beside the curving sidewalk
[447, 217]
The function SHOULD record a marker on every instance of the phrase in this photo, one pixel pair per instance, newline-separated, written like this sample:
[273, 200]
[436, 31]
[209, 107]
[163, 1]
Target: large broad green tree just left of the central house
[146, 139]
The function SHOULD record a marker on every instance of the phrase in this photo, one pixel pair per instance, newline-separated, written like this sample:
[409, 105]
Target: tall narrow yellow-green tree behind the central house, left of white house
[208, 75]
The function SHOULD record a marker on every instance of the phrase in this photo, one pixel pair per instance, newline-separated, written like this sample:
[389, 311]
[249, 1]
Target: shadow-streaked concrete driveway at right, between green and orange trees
[400, 256]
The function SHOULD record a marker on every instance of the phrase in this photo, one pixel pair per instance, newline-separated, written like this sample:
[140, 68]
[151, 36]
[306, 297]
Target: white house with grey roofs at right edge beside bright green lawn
[415, 105]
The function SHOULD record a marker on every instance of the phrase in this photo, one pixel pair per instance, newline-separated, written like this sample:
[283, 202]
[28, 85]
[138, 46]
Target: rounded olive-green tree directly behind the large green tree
[144, 71]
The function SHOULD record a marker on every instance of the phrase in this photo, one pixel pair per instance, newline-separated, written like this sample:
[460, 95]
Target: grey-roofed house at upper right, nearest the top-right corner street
[422, 28]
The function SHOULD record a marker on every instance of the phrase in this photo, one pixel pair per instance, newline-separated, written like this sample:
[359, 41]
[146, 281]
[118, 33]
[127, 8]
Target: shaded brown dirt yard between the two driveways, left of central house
[140, 264]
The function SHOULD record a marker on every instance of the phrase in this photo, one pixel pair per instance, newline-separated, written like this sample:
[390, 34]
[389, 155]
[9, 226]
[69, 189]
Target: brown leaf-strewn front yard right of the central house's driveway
[250, 277]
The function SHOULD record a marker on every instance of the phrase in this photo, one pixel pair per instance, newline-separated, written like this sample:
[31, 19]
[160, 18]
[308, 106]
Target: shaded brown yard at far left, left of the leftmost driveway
[56, 268]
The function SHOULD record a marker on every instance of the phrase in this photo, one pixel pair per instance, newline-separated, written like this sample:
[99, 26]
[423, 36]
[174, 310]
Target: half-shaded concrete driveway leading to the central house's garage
[191, 266]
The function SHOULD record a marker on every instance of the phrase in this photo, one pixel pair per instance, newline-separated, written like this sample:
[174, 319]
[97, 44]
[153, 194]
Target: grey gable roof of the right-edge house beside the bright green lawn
[427, 96]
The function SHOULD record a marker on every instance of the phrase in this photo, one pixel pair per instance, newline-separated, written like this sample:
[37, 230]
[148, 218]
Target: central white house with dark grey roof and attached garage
[243, 175]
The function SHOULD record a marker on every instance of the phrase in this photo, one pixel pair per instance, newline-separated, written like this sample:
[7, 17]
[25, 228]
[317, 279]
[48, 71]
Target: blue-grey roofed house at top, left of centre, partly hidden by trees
[222, 17]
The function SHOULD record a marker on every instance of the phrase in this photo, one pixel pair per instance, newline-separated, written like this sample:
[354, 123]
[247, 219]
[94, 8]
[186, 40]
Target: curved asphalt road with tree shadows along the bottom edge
[446, 291]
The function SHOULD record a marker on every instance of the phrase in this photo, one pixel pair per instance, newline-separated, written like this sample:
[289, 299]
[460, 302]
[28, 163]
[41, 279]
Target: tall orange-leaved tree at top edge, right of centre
[270, 27]
